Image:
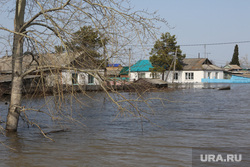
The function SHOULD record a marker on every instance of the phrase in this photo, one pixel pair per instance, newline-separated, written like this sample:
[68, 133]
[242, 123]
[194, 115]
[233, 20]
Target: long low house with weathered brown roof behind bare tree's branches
[65, 69]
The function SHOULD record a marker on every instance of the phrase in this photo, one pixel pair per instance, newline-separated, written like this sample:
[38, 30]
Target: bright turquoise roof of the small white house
[141, 66]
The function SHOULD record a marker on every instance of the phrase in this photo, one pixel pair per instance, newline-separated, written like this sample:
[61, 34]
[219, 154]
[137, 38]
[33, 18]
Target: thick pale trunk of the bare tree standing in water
[17, 59]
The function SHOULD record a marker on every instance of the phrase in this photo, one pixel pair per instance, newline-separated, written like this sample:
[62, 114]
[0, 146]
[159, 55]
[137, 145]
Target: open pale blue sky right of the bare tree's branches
[205, 22]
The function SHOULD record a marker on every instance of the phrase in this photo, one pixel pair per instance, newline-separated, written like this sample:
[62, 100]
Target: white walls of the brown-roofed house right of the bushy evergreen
[192, 76]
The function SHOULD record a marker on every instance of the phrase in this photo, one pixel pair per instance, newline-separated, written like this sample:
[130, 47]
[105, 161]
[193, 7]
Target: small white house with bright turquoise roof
[142, 69]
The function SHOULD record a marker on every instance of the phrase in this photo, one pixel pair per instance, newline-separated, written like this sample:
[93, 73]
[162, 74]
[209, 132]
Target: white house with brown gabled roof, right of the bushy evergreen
[194, 70]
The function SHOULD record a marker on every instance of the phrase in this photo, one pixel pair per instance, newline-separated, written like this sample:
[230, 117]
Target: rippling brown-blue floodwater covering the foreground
[186, 118]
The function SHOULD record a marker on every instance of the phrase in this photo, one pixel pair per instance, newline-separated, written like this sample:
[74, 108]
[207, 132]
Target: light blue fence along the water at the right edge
[234, 79]
